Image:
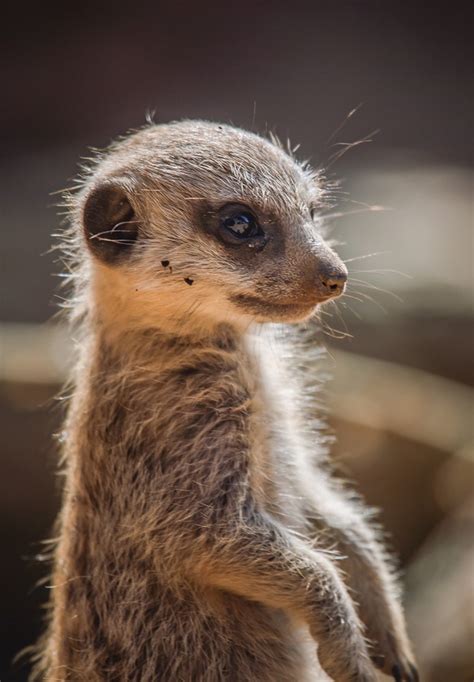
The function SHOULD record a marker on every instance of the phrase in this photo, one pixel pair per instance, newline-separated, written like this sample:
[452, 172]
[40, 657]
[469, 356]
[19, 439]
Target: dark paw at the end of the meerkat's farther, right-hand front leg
[393, 656]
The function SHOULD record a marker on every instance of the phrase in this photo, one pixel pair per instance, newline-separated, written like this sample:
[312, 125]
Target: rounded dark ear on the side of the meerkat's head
[110, 223]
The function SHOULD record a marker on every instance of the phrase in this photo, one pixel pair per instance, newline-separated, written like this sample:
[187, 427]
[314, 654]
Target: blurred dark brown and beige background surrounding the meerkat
[328, 75]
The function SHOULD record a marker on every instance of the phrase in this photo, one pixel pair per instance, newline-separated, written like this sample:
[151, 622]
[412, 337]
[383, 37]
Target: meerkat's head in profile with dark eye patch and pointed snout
[196, 223]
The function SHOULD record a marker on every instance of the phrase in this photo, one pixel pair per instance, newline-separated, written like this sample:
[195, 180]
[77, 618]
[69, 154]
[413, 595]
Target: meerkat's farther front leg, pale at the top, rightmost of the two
[340, 522]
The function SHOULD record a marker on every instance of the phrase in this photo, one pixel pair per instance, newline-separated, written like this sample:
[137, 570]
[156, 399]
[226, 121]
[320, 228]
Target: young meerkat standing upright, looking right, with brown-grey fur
[202, 537]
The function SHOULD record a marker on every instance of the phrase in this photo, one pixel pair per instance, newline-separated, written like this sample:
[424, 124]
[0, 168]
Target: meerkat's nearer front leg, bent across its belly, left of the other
[265, 563]
